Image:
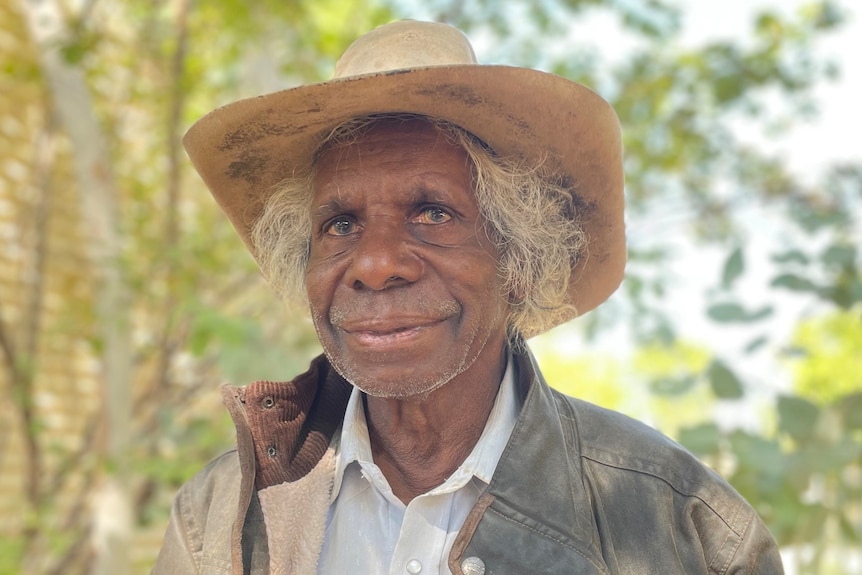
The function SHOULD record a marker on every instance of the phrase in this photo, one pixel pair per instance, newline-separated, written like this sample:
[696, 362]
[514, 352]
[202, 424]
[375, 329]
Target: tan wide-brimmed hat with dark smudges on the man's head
[243, 150]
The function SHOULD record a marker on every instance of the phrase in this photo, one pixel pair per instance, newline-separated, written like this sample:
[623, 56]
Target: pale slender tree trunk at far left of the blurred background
[99, 196]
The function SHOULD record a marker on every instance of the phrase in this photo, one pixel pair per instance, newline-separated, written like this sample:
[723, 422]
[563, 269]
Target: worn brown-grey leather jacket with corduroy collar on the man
[578, 490]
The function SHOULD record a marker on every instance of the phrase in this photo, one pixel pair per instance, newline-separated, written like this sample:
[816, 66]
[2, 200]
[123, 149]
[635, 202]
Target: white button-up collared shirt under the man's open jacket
[370, 531]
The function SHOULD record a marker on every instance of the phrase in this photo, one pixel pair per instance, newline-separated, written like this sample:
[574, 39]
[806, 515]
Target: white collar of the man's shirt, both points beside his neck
[353, 443]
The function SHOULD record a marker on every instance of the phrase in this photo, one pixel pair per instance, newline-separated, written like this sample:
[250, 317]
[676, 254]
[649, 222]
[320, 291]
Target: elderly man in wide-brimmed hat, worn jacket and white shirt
[433, 213]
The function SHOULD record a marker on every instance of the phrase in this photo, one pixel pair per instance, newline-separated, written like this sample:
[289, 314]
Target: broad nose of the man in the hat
[382, 258]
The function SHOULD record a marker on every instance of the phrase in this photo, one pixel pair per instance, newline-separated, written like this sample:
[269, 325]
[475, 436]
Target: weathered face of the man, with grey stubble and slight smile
[402, 279]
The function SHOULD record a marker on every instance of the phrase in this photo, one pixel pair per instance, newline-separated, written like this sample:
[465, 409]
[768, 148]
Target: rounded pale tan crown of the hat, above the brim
[405, 44]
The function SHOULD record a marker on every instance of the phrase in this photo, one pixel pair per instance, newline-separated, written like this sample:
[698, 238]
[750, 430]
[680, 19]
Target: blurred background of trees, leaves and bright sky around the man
[126, 299]
